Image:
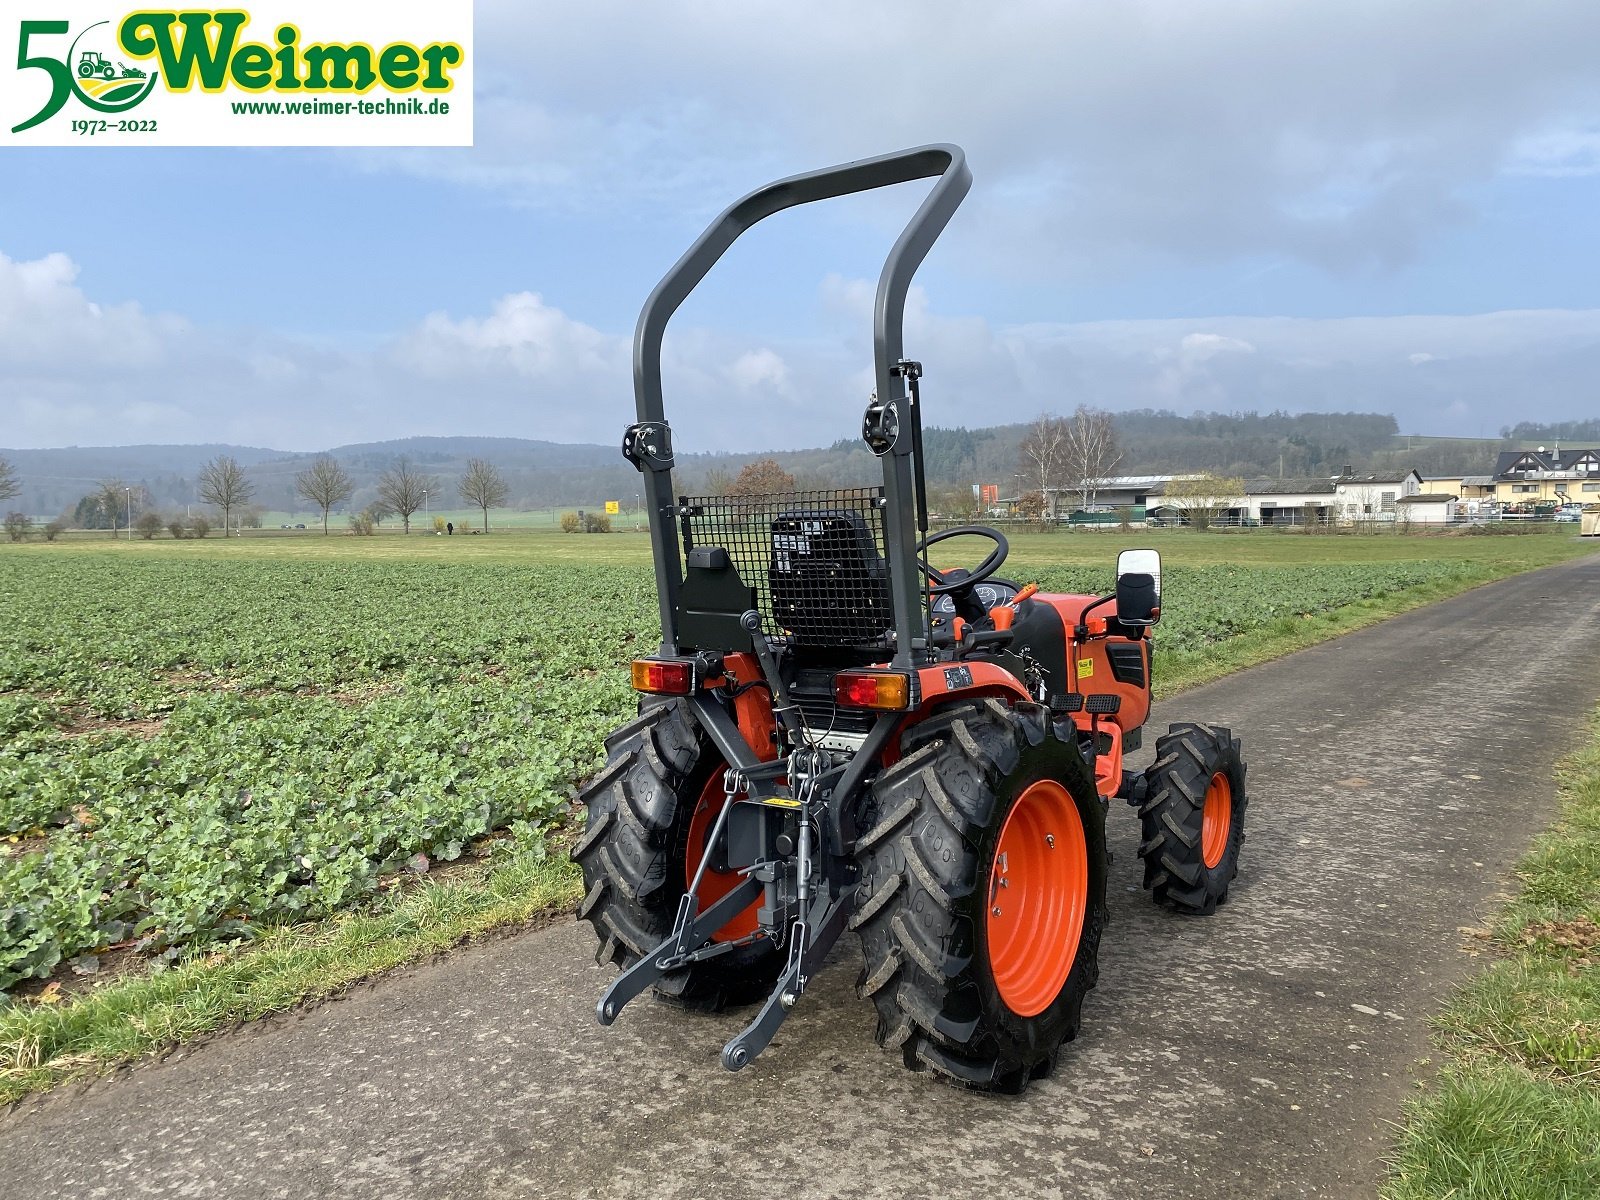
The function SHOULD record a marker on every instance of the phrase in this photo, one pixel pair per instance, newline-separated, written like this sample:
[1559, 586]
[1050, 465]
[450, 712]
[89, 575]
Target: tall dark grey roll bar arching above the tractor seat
[649, 444]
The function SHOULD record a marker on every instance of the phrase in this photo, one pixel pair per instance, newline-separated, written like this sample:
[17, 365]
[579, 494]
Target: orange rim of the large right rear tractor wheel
[1039, 887]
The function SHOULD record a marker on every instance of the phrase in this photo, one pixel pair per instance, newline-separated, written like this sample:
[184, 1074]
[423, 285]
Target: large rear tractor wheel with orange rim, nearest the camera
[985, 798]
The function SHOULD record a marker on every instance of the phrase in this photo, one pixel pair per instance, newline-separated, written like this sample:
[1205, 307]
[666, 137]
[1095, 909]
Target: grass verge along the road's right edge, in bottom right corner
[1516, 1110]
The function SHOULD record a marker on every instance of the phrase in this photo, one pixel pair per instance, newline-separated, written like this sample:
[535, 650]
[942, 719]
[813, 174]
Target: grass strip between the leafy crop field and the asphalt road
[121, 1022]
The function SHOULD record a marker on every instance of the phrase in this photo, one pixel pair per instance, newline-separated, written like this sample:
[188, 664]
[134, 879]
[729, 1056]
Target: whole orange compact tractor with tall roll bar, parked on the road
[841, 735]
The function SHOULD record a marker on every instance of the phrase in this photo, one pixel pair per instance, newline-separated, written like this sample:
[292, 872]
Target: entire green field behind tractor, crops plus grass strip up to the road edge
[279, 764]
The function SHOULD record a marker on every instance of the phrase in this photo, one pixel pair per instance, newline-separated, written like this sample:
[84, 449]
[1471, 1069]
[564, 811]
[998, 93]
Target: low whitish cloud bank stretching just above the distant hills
[79, 372]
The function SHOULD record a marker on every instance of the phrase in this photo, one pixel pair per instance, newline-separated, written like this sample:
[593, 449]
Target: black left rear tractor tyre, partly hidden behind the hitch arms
[634, 857]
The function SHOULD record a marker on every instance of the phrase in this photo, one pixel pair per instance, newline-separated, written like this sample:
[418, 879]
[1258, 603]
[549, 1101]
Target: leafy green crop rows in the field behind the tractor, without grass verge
[194, 750]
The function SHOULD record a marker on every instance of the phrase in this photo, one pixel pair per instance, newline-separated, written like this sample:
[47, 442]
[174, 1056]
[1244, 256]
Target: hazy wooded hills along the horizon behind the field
[545, 474]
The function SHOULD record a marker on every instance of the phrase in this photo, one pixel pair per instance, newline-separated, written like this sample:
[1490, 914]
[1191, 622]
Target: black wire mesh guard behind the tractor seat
[815, 559]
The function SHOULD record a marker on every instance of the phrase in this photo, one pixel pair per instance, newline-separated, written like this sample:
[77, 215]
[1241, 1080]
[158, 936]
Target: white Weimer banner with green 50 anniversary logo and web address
[230, 78]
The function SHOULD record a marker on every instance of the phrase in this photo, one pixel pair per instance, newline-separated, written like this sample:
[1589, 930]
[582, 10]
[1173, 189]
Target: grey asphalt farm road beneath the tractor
[1394, 777]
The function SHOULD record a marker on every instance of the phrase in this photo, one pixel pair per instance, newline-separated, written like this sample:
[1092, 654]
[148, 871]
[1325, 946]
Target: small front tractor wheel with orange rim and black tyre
[1193, 817]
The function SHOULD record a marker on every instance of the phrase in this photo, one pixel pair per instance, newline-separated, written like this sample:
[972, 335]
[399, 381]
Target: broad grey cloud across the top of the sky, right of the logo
[1106, 137]
